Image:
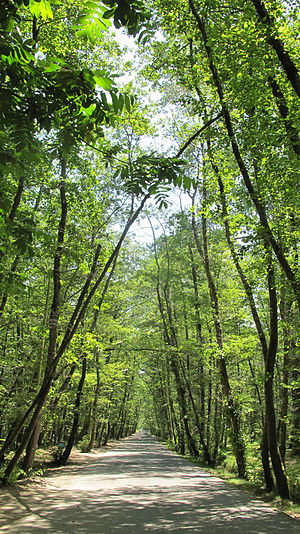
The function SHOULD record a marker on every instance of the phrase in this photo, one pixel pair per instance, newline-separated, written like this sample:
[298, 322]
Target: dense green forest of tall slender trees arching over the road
[181, 117]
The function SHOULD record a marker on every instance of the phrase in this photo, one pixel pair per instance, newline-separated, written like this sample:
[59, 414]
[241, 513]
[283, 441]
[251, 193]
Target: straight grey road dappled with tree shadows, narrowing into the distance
[137, 486]
